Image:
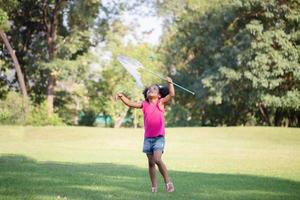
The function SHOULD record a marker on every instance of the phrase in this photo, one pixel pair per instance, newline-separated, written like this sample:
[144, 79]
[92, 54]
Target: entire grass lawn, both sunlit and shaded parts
[94, 163]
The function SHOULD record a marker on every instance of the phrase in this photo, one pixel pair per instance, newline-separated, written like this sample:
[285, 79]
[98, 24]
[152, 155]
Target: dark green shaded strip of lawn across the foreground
[24, 178]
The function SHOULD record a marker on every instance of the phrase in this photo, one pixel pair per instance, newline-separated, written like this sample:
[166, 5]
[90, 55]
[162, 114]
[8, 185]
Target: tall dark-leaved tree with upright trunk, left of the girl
[52, 42]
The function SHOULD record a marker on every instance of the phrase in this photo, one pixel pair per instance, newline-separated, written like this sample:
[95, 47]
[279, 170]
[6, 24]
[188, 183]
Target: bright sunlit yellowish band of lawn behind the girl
[246, 150]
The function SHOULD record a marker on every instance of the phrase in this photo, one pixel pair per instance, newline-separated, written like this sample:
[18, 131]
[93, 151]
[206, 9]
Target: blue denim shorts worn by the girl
[154, 144]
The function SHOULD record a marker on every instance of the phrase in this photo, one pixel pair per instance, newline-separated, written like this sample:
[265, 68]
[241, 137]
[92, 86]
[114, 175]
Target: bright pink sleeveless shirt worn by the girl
[154, 120]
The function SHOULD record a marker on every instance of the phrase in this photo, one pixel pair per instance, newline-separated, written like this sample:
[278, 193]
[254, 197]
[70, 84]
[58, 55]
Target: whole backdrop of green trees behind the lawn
[241, 57]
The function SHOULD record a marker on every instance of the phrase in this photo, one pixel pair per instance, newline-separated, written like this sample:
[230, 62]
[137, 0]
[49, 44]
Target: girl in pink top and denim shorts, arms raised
[154, 122]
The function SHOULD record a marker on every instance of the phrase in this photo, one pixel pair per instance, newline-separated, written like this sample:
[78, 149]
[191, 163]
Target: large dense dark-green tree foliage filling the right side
[242, 57]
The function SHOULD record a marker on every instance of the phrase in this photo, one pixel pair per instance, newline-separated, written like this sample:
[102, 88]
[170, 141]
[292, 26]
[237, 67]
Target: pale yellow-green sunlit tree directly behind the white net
[114, 79]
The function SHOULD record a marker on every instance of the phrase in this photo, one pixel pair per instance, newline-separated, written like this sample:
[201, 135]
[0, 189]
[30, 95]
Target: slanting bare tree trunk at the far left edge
[18, 69]
